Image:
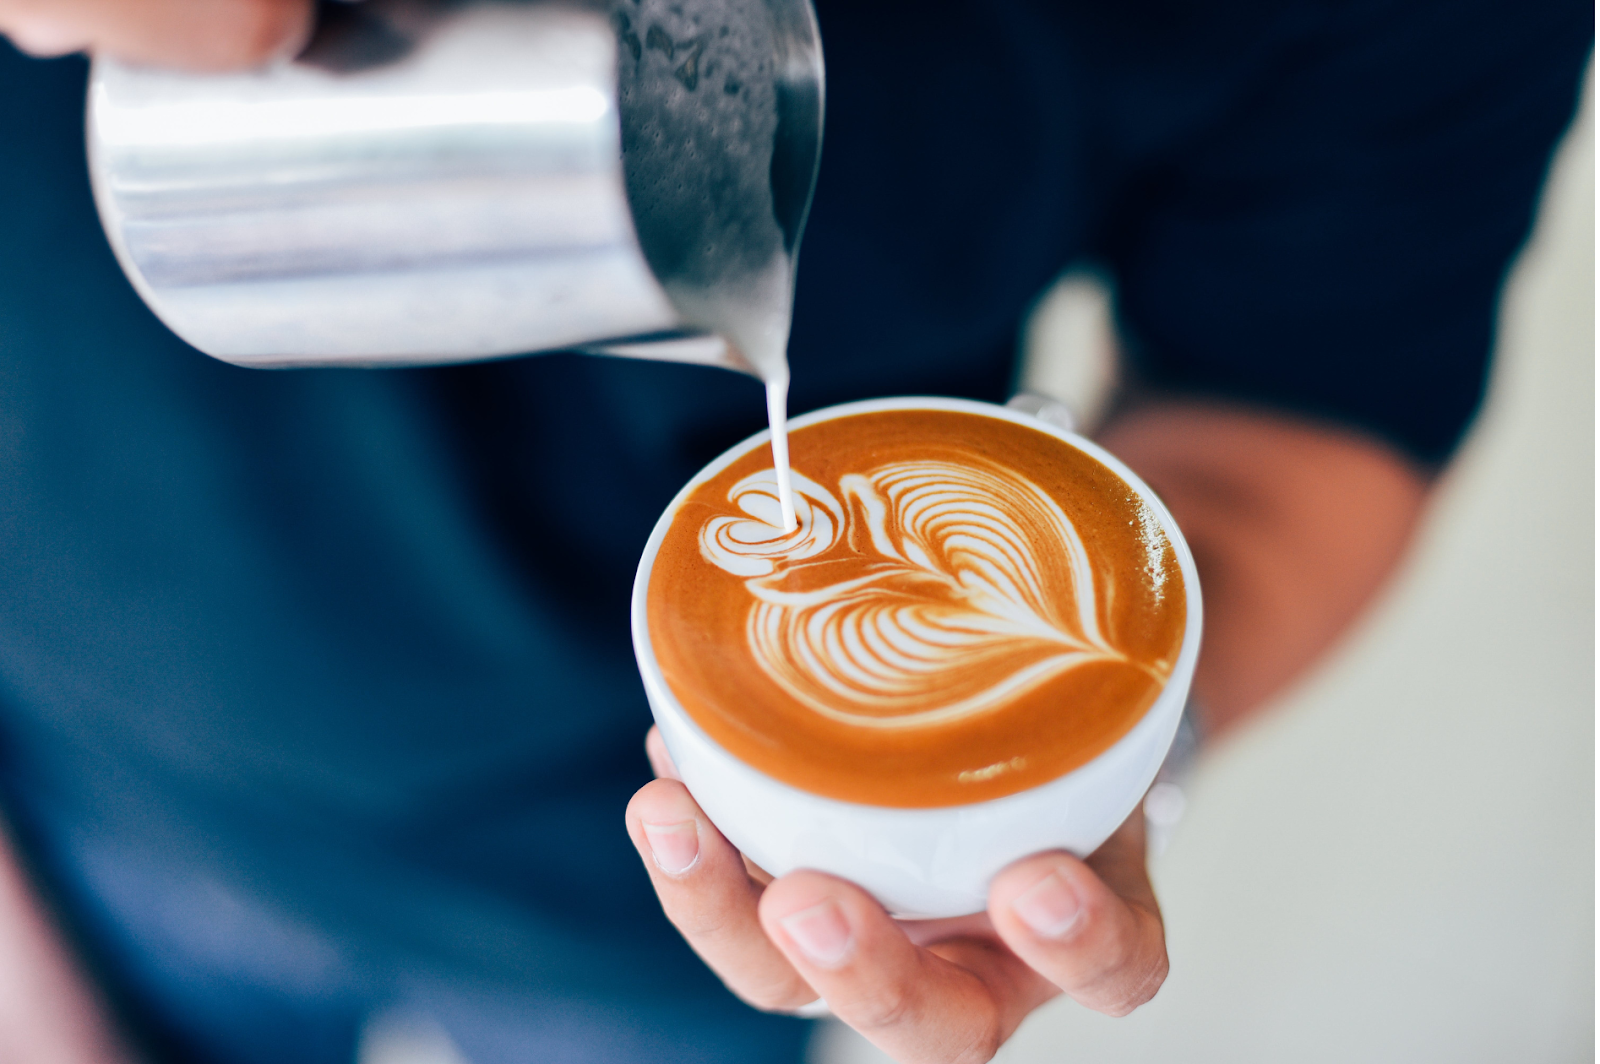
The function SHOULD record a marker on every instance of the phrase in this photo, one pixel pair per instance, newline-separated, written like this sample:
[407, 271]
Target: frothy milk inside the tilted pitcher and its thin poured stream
[702, 105]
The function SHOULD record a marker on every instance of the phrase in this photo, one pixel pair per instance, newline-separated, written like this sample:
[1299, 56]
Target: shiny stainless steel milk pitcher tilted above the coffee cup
[446, 182]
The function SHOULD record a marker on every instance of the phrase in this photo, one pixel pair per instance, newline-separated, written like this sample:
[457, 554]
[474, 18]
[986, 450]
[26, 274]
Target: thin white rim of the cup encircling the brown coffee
[639, 614]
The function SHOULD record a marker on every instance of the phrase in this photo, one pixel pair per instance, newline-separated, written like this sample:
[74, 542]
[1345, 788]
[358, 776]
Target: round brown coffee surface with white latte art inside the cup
[967, 609]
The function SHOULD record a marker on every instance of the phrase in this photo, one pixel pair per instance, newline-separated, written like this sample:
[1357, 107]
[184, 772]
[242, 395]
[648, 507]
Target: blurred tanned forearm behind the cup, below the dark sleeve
[1295, 527]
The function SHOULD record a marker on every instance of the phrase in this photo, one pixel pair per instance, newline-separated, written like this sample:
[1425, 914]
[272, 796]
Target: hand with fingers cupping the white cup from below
[924, 993]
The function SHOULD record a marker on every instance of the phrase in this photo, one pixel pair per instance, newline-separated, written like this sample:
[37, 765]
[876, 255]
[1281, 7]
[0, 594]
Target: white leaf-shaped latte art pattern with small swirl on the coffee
[959, 588]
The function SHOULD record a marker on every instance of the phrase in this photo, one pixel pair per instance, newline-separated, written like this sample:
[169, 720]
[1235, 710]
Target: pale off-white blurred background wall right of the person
[1398, 862]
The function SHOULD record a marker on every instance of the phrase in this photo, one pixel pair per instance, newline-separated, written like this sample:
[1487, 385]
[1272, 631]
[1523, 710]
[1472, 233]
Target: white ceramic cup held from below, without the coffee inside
[918, 862]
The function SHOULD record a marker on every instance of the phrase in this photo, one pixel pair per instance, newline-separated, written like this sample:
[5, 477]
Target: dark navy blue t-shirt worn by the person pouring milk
[316, 687]
